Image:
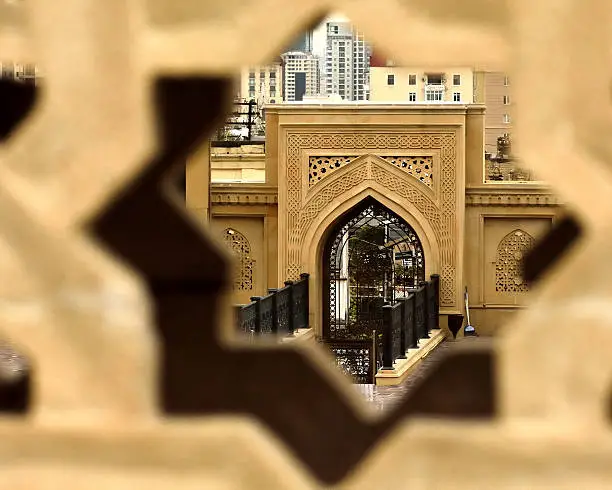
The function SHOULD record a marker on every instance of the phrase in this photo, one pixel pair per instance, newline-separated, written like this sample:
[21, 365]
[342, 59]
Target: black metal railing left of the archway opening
[281, 312]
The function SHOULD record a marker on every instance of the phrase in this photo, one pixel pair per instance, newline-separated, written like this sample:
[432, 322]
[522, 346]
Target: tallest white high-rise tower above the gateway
[347, 62]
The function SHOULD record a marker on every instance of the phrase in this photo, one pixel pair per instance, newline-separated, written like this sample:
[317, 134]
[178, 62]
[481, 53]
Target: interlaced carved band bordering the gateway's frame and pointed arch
[441, 215]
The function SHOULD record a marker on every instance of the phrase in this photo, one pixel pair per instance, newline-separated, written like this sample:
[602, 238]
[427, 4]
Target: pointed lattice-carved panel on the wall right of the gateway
[508, 262]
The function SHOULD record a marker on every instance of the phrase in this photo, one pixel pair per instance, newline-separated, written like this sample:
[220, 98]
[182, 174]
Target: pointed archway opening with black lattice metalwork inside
[372, 257]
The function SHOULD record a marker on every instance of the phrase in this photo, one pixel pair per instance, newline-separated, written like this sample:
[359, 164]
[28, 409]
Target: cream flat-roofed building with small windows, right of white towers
[380, 91]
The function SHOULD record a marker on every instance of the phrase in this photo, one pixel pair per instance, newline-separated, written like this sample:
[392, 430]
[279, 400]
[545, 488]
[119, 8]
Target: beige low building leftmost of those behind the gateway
[263, 84]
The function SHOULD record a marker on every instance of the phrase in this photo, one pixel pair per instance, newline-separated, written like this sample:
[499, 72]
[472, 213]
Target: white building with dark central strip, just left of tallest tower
[301, 75]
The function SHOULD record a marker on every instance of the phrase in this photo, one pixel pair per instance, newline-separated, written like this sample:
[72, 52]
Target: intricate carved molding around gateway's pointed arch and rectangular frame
[301, 207]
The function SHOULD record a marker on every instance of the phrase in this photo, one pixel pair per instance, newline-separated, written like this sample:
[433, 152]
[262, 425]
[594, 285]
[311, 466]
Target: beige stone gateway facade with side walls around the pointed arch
[465, 225]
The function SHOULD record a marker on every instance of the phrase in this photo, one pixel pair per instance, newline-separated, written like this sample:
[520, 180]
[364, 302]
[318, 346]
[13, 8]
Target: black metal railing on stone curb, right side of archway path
[410, 320]
